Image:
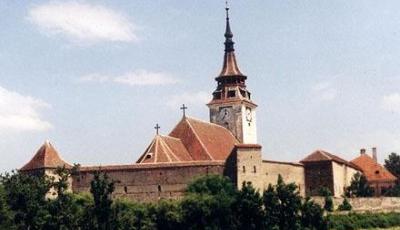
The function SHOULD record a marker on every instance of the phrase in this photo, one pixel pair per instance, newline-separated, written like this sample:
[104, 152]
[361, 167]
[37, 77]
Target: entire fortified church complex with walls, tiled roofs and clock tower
[226, 145]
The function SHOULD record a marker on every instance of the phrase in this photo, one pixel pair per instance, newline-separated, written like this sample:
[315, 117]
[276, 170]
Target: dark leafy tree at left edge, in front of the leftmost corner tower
[26, 197]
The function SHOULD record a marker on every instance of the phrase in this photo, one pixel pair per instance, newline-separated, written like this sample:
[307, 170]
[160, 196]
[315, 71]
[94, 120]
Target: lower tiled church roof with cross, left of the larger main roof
[165, 149]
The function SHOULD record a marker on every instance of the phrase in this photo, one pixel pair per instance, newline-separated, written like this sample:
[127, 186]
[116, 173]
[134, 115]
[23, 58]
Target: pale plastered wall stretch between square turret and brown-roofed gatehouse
[290, 172]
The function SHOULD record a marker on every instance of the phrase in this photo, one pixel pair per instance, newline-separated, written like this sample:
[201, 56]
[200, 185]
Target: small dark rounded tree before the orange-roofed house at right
[359, 187]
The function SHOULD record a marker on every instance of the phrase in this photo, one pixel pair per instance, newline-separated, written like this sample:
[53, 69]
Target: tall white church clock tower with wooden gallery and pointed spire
[231, 105]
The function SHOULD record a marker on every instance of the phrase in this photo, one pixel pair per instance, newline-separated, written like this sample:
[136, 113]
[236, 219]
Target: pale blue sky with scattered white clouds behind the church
[94, 77]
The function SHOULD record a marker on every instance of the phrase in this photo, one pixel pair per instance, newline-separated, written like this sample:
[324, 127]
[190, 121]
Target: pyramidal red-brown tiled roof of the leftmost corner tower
[46, 157]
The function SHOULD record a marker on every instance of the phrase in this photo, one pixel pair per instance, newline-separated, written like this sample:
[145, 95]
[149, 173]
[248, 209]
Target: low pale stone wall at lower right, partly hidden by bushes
[370, 204]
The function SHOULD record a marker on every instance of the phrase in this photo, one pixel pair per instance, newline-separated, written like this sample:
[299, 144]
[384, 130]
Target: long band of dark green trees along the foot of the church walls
[210, 202]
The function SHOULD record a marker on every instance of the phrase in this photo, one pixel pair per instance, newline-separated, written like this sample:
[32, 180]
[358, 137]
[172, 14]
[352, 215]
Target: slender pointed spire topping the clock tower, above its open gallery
[229, 67]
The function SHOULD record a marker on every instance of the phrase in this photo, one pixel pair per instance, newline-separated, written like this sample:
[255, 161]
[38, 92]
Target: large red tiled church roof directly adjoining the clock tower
[204, 140]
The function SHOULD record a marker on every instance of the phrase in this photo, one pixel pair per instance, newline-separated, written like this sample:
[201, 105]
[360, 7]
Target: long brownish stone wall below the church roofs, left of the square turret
[148, 182]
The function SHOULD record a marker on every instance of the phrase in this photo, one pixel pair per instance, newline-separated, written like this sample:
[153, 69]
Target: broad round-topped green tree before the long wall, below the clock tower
[208, 203]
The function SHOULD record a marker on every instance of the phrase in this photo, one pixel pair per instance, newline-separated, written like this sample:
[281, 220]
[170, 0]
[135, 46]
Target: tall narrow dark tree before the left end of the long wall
[101, 187]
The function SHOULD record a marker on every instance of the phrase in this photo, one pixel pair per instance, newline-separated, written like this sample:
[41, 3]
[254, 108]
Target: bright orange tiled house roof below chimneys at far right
[373, 170]
